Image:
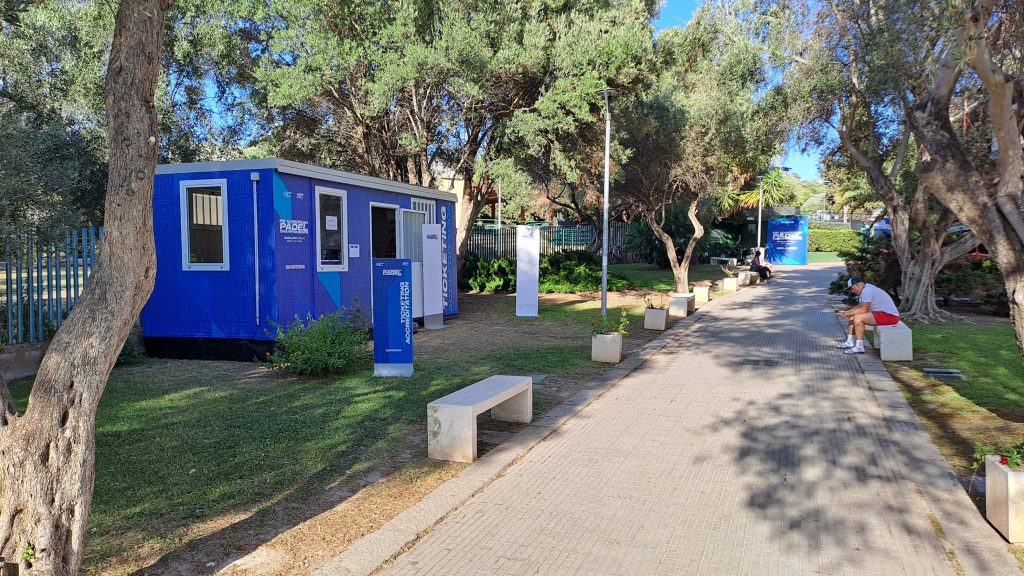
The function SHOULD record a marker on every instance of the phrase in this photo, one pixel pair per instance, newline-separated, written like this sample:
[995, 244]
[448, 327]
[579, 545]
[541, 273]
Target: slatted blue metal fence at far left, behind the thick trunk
[42, 282]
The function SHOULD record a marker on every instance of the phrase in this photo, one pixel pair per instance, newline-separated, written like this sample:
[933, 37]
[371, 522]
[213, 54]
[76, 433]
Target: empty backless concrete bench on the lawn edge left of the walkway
[452, 421]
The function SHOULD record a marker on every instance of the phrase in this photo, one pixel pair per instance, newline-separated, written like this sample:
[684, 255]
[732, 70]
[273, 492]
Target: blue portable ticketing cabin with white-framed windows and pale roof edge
[247, 243]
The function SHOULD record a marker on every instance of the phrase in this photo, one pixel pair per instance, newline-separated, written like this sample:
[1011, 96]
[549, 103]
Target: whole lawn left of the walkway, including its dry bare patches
[197, 458]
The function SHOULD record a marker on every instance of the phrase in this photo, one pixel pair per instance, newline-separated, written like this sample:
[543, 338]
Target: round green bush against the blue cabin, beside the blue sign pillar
[330, 345]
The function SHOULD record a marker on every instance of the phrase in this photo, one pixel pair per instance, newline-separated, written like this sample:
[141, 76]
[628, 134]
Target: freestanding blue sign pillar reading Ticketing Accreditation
[393, 317]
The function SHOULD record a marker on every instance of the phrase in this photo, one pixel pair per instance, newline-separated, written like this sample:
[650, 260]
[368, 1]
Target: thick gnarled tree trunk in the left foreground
[48, 456]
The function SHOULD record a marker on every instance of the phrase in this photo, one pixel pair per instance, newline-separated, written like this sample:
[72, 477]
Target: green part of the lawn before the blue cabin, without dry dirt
[185, 443]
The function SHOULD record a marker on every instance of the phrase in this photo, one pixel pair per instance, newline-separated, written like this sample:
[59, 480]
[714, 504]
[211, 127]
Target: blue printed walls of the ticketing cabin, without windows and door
[208, 304]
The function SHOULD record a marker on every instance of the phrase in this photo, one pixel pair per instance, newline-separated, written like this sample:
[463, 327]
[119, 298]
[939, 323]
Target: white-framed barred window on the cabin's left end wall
[204, 225]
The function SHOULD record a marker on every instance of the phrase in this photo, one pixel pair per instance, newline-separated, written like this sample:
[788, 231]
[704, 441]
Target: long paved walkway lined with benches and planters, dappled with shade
[749, 446]
